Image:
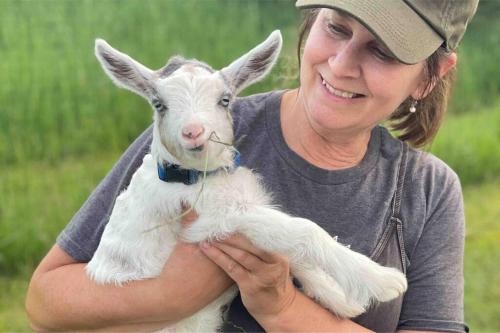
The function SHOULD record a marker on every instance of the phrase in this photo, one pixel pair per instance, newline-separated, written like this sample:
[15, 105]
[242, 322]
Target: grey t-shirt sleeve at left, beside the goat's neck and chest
[81, 236]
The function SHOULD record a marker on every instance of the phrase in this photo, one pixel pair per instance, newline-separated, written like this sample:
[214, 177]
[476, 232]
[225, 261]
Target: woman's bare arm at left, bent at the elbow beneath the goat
[62, 297]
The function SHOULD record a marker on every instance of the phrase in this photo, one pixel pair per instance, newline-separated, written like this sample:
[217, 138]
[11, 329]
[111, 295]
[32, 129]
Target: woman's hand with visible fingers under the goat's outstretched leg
[263, 278]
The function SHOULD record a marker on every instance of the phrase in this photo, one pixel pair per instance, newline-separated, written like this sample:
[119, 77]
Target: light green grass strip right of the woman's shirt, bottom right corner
[482, 276]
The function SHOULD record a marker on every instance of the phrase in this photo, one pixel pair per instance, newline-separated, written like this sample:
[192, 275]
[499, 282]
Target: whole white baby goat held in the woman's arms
[192, 104]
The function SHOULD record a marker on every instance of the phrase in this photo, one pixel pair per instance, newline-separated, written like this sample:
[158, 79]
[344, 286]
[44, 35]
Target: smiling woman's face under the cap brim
[346, 86]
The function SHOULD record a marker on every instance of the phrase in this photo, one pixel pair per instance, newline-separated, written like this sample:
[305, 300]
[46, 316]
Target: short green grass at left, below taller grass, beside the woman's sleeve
[38, 199]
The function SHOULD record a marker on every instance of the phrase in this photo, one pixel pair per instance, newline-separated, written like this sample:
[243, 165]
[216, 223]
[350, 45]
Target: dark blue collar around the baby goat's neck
[173, 173]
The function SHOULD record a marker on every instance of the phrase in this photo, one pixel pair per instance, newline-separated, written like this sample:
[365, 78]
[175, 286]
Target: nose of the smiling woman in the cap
[345, 62]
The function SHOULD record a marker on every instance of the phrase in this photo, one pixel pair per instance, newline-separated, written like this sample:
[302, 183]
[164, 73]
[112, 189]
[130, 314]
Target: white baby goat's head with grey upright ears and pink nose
[192, 101]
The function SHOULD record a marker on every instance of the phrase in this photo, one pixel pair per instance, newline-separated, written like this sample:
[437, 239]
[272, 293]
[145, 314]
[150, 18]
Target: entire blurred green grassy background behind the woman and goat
[63, 123]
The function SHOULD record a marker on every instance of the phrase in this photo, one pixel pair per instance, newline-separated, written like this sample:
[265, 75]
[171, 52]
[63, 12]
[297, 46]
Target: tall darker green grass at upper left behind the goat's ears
[55, 100]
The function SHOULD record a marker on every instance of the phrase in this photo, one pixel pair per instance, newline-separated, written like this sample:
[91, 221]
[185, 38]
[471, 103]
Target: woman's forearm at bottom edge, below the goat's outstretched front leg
[304, 315]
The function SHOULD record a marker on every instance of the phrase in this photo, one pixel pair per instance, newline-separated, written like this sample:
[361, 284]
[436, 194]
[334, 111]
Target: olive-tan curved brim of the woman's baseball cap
[394, 23]
